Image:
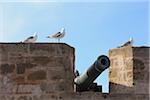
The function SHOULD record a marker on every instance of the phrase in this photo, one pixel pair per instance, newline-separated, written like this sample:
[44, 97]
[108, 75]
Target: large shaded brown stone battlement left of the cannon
[35, 69]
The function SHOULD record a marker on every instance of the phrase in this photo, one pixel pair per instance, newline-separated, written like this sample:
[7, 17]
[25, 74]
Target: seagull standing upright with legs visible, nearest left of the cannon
[58, 35]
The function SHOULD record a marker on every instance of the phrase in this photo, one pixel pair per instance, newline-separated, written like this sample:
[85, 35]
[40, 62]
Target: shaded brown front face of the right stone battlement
[141, 69]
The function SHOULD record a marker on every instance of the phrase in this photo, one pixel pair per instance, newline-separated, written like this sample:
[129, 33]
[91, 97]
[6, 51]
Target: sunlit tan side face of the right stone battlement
[121, 70]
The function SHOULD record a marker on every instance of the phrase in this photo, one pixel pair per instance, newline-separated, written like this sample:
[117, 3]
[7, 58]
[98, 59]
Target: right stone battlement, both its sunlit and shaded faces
[132, 68]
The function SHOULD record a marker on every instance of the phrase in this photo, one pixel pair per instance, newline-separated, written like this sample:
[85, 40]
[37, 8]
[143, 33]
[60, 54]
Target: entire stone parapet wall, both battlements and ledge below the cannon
[45, 71]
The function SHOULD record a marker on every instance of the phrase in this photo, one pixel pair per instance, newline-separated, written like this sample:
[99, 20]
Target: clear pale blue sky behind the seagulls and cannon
[92, 27]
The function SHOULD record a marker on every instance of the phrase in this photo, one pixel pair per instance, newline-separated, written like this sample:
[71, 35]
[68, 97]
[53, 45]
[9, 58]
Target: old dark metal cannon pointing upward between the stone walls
[85, 81]
